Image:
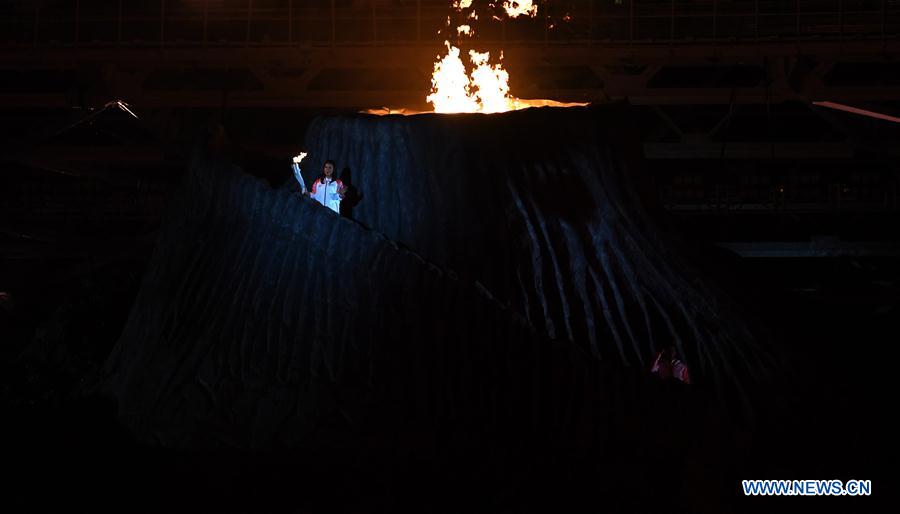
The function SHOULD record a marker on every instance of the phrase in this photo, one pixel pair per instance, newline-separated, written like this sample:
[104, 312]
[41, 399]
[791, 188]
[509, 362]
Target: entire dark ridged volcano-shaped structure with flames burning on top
[498, 279]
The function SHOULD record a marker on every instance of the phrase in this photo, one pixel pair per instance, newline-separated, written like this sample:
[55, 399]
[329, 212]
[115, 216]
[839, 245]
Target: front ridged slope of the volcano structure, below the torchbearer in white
[266, 320]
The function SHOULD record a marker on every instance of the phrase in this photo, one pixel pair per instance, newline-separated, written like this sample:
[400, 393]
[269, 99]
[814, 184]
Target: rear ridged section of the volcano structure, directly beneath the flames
[539, 206]
